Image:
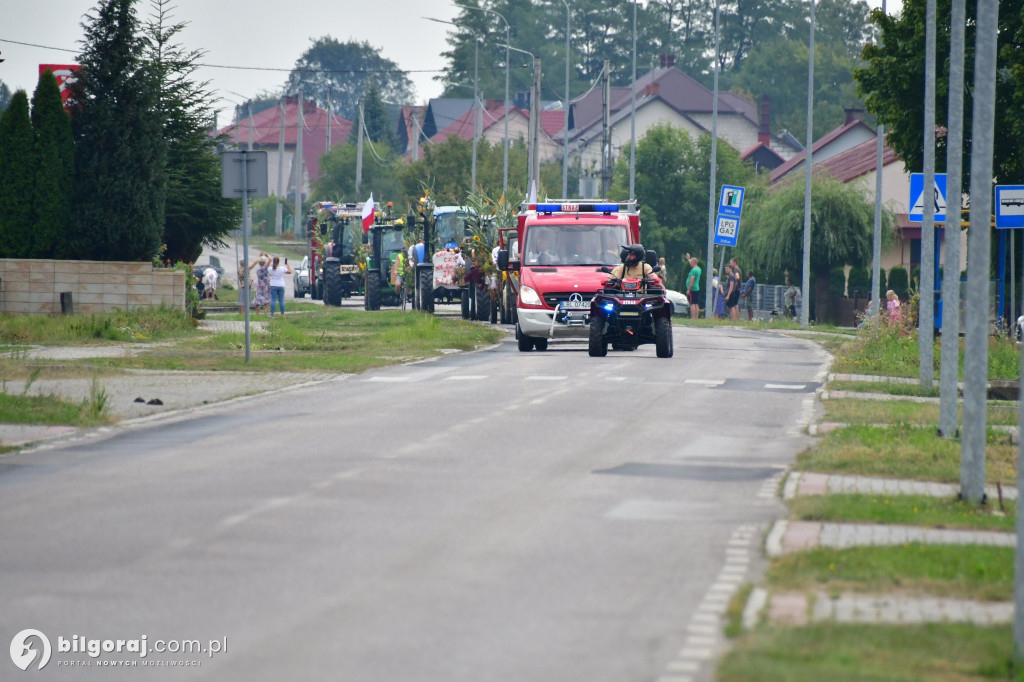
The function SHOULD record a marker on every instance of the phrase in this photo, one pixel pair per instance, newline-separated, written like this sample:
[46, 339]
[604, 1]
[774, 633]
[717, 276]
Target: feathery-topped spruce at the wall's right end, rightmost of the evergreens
[195, 212]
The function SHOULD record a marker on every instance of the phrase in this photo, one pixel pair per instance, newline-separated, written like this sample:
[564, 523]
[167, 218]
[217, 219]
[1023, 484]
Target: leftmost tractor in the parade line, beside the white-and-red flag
[342, 273]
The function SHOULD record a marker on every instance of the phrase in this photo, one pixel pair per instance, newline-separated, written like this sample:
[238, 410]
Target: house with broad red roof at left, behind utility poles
[267, 131]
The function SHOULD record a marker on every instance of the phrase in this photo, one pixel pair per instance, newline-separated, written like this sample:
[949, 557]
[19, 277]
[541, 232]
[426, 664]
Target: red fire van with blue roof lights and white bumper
[562, 250]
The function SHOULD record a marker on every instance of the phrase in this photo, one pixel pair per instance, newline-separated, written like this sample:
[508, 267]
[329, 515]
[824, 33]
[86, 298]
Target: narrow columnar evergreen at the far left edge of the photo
[17, 179]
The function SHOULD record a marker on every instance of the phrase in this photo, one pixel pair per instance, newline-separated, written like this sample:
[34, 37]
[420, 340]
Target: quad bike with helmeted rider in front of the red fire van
[631, 312]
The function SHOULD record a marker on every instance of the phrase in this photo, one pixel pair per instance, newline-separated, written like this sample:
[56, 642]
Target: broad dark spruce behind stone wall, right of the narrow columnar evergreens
[120, 150]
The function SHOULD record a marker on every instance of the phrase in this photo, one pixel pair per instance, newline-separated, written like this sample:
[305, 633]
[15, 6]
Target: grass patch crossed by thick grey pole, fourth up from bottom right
[904, 451]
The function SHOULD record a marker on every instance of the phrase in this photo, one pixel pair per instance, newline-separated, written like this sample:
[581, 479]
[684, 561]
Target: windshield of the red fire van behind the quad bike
[574, 244]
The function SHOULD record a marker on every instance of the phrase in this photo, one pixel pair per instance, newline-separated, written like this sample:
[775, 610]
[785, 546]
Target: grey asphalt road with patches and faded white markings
[486, 517]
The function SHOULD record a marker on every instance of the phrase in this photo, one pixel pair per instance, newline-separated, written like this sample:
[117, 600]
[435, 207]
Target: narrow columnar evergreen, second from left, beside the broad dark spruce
[55, 166]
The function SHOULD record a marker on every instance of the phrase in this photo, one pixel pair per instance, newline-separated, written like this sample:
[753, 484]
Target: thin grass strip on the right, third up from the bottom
[906, 510]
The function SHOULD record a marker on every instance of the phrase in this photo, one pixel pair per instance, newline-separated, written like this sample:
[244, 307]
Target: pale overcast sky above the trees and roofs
[261, 40]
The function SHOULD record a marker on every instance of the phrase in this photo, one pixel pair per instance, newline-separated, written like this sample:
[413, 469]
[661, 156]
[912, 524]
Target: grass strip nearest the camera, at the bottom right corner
[872, 654]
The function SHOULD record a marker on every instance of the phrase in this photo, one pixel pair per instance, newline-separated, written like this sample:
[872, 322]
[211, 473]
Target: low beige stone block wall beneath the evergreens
[34, 287]
